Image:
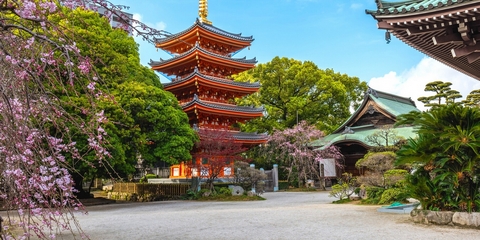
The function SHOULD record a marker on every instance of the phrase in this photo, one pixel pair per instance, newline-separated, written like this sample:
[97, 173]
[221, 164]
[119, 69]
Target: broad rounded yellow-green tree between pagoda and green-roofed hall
[293, 91]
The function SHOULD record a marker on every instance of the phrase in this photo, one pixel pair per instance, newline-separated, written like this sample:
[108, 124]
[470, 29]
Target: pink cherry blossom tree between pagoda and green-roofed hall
[291, 148]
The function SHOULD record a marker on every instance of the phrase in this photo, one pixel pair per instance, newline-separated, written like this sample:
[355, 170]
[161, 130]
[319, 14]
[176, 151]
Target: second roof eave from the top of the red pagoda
[241, 62]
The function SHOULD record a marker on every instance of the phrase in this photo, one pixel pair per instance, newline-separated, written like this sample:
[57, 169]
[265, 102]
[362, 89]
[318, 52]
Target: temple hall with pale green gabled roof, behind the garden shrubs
[378, 111]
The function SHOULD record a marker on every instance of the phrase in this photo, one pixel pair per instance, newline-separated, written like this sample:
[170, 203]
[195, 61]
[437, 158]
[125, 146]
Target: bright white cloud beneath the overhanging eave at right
[411, 83]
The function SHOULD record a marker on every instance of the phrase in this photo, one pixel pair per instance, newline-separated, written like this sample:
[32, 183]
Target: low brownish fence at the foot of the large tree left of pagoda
[147, 191]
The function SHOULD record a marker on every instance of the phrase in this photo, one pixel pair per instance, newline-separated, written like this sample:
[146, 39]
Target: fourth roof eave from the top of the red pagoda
[224, 109]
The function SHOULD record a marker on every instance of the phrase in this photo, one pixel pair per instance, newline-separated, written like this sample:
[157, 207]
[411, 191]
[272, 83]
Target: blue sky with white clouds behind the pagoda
[333, 34]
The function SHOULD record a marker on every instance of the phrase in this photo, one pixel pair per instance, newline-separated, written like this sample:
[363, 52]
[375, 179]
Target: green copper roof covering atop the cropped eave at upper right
[411, 6]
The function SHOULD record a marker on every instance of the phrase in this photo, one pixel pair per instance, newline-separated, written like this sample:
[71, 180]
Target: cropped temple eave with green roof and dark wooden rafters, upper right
[445, 30]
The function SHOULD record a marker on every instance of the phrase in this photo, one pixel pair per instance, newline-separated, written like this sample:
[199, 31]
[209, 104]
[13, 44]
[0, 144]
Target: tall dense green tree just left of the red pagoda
[142, 119]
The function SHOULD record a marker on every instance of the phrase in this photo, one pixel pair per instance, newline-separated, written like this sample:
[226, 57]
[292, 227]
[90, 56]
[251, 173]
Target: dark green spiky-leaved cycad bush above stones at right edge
[445, 159]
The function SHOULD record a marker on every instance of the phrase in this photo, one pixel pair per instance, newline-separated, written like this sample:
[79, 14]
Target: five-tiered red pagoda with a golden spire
[200, 73]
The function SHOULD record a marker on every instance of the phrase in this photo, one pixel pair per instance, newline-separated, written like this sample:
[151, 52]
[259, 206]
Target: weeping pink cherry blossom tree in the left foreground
[38, 60]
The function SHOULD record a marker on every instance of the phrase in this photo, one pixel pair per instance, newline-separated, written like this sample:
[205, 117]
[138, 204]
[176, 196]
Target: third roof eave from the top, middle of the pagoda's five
[228, 84]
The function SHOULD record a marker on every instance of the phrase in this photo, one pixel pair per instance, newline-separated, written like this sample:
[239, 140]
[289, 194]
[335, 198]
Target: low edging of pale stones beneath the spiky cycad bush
[462, 219]
